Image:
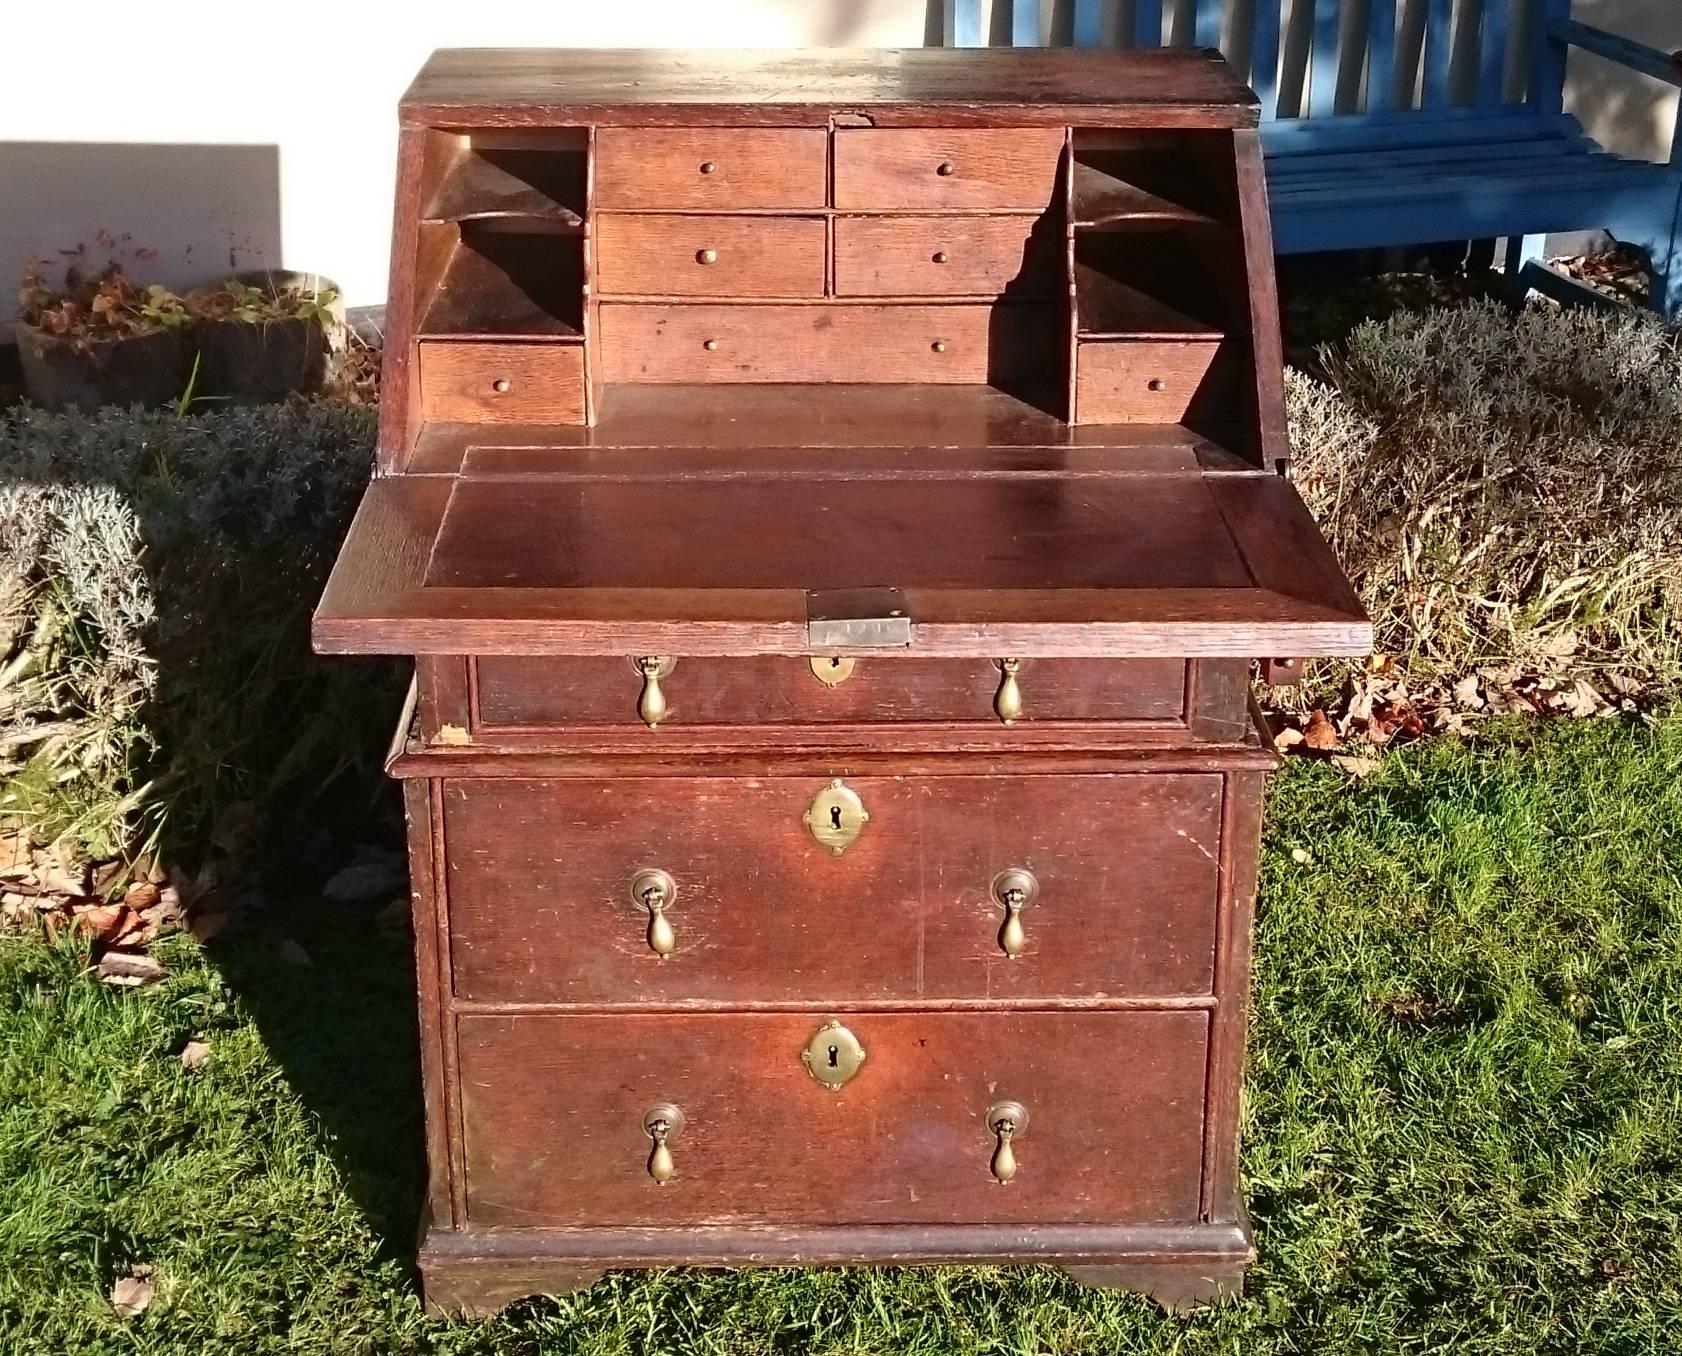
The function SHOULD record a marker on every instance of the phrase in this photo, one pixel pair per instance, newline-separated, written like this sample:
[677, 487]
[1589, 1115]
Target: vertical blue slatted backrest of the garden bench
[1377, 88]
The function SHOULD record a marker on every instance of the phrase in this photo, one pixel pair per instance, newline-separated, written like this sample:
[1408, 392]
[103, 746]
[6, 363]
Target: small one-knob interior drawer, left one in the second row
[709, 257]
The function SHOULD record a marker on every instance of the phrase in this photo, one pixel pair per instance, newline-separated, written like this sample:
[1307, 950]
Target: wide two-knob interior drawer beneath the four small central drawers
[823, 344]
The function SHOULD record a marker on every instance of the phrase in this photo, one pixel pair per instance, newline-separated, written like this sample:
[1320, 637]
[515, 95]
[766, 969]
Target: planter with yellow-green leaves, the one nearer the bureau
[265, 336]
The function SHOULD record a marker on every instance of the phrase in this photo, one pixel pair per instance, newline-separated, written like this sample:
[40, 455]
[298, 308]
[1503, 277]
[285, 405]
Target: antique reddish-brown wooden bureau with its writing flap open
[833, 502]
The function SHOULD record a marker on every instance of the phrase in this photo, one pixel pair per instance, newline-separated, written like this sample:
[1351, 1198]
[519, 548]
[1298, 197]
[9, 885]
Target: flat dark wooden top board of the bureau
[499, 87]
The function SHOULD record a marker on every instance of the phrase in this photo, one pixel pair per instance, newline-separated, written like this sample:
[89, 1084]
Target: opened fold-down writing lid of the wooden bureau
[1030, 561]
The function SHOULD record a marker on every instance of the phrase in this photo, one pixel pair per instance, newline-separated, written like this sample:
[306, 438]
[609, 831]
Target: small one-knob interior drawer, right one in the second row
[944, 257]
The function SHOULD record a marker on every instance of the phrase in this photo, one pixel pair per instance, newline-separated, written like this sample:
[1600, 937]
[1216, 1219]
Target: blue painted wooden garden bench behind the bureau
[1414, 130]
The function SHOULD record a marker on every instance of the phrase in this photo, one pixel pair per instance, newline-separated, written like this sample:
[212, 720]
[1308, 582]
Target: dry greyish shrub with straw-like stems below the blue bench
[1506, 490]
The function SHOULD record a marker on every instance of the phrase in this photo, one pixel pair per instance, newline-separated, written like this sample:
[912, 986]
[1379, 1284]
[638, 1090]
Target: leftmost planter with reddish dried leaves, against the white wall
[100, 339]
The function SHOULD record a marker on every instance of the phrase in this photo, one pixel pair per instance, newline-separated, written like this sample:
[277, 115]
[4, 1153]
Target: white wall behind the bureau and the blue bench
[235, 135]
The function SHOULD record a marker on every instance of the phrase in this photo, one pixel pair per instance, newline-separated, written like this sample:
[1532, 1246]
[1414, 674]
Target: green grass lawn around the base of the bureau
[1464, 1120]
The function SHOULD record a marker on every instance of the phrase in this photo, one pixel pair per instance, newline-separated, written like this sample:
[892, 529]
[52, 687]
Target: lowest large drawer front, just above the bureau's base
[554, 1118]
